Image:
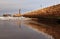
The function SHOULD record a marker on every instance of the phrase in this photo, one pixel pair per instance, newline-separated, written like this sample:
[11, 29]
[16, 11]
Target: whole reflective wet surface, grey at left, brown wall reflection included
[28, 29]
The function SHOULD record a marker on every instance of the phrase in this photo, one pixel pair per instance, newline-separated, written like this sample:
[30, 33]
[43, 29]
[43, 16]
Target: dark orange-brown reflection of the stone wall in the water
[52, 29]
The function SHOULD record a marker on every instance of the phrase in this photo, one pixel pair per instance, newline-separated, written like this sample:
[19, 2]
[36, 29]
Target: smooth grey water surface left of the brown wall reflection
[15, 29]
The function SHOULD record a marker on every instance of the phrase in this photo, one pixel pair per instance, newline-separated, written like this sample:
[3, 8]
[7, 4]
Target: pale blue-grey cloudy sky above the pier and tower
[12, 6]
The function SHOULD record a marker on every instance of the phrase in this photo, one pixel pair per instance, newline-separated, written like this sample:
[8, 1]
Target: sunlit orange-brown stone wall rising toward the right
[49, 12]
